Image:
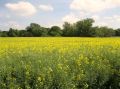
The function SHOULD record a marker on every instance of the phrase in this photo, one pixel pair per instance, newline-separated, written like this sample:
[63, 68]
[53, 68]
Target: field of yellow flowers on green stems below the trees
[59, 63]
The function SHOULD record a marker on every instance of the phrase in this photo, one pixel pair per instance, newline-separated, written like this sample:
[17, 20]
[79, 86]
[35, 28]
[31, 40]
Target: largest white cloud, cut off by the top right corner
[94, 5]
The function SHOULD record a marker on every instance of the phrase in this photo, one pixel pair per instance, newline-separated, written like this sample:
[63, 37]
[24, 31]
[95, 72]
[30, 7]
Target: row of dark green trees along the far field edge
[82, 28]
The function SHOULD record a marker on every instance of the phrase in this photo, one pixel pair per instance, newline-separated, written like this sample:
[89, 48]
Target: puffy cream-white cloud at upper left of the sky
[22, 8]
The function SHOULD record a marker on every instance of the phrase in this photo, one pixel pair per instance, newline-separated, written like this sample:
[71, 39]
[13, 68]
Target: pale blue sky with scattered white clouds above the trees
[20, 13]
